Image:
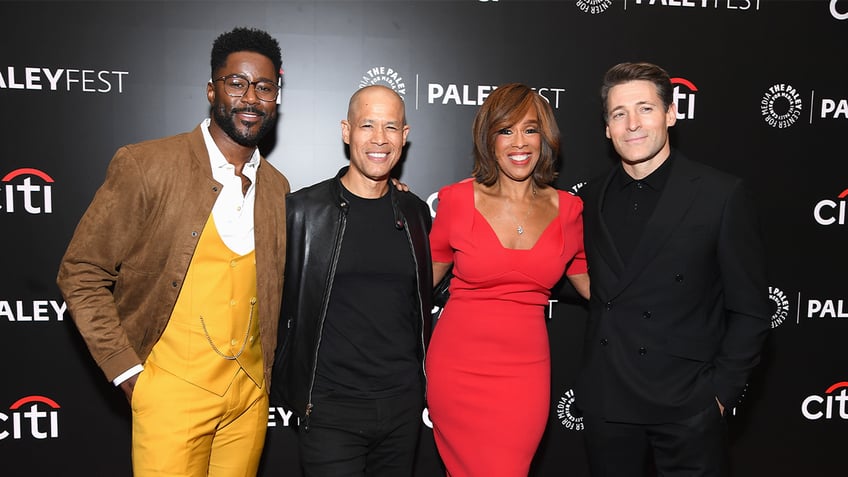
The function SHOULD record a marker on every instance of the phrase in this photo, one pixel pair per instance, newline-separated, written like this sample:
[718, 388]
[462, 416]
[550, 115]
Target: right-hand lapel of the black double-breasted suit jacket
[679, 192]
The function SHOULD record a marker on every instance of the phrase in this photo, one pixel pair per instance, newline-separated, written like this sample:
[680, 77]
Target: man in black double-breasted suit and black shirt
[679, 304]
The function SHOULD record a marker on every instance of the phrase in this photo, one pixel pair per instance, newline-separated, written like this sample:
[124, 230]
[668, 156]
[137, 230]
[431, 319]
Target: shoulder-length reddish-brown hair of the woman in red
[504, 107]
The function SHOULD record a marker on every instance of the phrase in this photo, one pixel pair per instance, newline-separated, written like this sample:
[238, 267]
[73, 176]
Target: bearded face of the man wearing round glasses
[245, 120]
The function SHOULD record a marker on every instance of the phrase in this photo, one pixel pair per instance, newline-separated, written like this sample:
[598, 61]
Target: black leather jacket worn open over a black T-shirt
[316, 217]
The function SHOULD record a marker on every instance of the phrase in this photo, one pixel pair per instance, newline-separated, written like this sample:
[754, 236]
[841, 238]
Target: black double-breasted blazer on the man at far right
[685, 320]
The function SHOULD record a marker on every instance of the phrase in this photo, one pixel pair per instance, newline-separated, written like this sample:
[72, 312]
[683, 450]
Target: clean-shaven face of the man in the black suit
[637, 123]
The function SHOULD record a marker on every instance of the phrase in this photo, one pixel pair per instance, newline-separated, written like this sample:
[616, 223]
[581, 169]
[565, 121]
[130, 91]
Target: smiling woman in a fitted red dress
[509, 236]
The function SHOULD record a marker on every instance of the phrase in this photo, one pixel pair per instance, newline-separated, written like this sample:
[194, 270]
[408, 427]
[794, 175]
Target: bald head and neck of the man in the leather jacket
[376, 133]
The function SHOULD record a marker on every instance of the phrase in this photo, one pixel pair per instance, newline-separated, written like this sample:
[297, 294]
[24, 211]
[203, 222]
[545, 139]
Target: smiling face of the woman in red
[517, 147]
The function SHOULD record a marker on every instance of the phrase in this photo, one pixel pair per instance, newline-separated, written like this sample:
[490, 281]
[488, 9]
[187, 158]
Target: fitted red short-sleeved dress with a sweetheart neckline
[488, 363]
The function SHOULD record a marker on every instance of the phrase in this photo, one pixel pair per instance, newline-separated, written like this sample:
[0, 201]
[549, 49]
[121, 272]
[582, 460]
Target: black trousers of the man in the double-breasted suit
[692, 447]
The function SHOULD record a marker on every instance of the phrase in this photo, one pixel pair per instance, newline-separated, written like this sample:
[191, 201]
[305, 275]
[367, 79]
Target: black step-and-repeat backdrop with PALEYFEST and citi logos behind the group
[761, 92]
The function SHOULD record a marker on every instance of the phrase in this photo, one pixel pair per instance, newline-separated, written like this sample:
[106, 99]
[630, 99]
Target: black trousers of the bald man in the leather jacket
[362, 437]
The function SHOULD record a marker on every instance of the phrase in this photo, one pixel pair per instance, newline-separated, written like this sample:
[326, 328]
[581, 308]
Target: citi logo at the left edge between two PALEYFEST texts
[19, 191]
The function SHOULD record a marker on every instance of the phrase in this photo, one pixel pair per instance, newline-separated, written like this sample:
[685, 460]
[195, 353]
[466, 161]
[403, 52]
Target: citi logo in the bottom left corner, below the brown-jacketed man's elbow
[31, 416]
